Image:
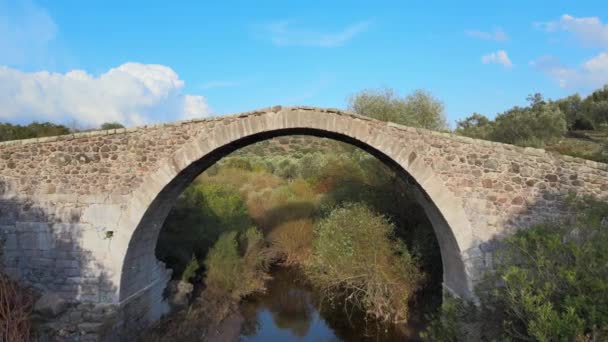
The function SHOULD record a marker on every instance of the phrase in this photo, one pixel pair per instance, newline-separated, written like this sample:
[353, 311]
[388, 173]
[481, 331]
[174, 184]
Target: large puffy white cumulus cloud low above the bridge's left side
[131, 93]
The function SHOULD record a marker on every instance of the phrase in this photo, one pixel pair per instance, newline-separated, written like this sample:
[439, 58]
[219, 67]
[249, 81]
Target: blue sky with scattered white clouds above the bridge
[146, 61]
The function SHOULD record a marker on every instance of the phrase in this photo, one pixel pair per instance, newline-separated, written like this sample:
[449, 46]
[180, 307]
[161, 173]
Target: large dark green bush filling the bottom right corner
[554, 278]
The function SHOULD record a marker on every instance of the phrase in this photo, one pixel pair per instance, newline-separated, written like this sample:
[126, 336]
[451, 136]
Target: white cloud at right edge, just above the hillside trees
[591, 74]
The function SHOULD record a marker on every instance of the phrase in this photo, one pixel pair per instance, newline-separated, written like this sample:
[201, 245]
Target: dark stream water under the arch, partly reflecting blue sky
[290, 311]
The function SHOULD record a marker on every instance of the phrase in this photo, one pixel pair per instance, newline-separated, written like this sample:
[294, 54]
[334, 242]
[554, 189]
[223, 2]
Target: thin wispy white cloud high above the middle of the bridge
[283, 33]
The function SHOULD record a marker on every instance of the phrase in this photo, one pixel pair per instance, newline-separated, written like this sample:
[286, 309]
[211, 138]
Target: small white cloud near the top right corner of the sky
[590, 31]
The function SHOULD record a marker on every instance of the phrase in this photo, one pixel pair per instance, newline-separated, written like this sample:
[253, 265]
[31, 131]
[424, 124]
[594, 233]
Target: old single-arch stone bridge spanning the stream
[80, 214]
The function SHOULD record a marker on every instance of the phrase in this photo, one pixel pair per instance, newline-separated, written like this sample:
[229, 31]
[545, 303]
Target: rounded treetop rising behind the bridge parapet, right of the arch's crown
[418, 109]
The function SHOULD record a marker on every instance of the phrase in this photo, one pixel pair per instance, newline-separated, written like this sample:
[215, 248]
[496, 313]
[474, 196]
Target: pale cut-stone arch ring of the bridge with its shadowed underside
[143, 278]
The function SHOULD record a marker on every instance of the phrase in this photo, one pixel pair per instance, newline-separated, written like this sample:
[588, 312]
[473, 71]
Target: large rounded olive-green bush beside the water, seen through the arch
[356, 259]
